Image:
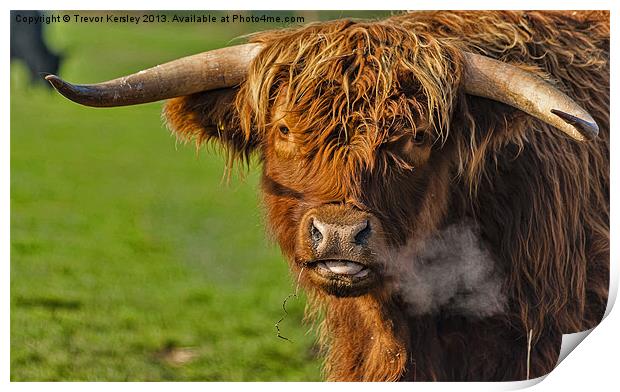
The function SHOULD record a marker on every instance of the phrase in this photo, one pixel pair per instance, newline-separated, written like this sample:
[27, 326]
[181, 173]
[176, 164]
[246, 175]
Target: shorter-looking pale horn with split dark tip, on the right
[499, 81]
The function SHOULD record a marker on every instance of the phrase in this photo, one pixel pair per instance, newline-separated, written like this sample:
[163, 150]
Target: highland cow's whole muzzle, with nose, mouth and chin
[339, 245]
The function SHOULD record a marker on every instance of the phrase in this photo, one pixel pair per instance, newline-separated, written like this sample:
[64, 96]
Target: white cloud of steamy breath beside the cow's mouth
[452, 271]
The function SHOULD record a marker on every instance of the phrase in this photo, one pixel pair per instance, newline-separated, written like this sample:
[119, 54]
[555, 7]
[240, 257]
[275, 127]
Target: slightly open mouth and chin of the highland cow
[342, 278]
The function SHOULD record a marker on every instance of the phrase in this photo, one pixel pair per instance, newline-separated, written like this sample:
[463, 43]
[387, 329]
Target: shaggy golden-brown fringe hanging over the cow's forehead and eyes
[348, 84]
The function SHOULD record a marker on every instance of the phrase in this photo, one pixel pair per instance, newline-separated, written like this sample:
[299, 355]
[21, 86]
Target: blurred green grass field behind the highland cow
[131, 259]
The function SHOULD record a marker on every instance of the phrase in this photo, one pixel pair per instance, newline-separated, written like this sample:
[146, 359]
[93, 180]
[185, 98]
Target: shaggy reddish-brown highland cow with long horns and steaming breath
[438, 181]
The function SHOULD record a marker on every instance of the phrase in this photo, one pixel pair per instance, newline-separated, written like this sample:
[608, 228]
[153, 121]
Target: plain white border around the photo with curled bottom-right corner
[592, 365]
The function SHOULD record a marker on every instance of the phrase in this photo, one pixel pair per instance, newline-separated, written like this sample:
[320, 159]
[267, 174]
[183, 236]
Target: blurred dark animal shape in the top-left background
[28, 45]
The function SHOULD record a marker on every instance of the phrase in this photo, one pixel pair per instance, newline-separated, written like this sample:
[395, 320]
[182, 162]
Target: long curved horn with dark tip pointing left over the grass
[211, 70]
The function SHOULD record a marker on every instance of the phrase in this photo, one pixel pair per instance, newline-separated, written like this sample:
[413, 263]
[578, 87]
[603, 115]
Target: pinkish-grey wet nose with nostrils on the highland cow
[323, 233]
